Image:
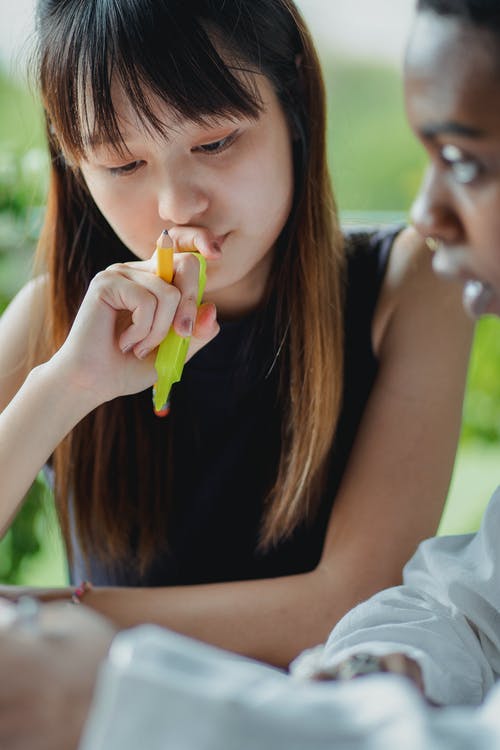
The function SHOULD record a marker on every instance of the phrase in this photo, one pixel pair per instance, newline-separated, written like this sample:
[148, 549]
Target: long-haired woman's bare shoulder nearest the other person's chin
[414, 300]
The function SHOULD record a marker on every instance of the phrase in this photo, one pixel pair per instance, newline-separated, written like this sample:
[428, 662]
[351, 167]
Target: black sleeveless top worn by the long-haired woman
[227, 445]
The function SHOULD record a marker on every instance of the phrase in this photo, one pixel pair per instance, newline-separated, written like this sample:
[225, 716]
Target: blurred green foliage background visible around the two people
[376, 167]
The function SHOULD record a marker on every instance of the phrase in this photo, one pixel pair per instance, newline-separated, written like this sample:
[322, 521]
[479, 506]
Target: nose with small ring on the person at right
[433, 213]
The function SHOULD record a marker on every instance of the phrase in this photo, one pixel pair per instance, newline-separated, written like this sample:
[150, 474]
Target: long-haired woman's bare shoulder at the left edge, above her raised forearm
[21, 326]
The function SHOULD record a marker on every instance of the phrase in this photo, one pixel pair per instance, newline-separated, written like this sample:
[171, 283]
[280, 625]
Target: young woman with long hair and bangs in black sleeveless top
[311, 439]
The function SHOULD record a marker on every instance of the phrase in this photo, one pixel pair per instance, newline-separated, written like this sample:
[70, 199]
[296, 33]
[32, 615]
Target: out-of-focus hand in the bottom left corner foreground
[48, 675]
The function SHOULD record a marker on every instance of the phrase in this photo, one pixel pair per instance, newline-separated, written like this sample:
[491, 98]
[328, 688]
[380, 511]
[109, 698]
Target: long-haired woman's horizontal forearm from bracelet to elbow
[271, 620]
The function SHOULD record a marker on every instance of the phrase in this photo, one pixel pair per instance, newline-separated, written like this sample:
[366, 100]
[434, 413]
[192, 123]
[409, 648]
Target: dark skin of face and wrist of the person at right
[452, 100]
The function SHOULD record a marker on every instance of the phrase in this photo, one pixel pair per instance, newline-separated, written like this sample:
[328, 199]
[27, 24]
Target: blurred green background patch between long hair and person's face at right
[376, 163]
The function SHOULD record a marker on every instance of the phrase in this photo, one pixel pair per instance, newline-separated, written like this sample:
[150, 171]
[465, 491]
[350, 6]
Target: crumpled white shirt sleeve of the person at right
[446, 615]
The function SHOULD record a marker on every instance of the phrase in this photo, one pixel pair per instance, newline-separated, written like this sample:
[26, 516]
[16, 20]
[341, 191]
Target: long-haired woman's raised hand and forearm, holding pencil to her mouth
[109, 352]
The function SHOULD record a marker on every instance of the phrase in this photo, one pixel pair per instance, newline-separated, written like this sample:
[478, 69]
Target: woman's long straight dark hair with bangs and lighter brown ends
[199, 57]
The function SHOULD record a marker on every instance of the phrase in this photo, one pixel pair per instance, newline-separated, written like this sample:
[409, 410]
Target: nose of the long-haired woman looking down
[181, 199]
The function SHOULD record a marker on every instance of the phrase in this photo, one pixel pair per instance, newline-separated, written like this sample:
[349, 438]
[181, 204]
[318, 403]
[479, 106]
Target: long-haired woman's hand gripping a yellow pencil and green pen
[125, 315]
